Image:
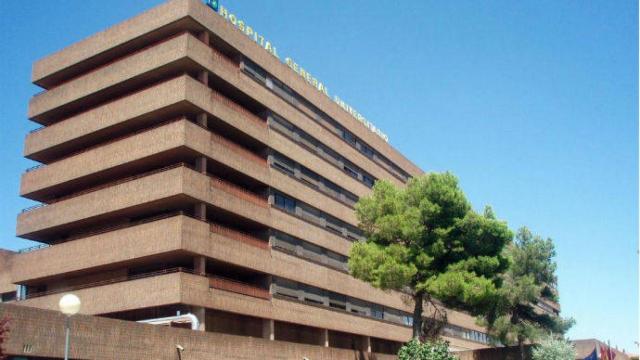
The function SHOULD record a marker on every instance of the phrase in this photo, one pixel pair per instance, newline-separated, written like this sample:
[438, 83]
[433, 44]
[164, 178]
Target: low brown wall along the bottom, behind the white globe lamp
[36, 332]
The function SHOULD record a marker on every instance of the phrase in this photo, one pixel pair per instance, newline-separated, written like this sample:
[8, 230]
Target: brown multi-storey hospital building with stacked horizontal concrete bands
[161, 190]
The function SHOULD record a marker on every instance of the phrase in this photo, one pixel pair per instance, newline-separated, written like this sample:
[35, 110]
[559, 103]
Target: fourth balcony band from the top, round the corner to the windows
[174, 140]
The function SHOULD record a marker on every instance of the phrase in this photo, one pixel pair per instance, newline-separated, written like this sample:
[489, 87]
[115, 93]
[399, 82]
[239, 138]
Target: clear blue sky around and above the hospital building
[532, 104]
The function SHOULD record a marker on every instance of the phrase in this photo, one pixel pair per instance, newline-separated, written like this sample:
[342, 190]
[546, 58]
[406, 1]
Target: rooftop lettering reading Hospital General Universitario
[259, 39]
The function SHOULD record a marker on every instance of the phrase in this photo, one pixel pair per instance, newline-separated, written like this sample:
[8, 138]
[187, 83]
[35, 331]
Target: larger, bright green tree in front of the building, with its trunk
[426, 240]
